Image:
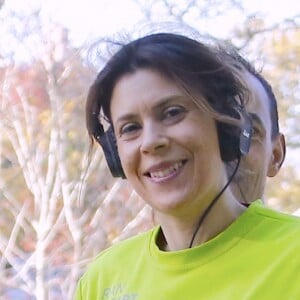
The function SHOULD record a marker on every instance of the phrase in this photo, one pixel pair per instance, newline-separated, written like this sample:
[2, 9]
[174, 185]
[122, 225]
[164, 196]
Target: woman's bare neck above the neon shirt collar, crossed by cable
[177, 233]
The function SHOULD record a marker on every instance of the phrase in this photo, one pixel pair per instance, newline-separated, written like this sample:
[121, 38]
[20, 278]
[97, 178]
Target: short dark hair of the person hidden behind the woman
[236, 57]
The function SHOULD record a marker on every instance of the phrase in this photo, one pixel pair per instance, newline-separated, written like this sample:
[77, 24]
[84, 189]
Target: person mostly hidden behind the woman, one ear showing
[267, 151]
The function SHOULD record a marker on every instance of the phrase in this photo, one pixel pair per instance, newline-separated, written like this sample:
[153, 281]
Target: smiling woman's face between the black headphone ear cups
[168, 147]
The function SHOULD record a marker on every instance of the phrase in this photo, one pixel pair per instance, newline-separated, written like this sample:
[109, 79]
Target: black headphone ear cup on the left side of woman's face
[109, 145]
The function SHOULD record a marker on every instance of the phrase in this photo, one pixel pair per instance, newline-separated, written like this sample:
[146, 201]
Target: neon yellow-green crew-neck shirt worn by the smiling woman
[256, 257]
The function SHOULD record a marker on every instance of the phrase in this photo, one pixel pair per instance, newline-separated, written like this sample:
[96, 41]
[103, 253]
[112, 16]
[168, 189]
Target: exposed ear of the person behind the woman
[278, 155]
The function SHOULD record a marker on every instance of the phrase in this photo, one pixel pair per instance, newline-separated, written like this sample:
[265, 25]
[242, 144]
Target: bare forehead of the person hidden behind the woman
[258, 102]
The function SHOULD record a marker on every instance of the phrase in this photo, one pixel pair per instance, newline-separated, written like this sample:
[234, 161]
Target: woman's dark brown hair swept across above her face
[192, 65]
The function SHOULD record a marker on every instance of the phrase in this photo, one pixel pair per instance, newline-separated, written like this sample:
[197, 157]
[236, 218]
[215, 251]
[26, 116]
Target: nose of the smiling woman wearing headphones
[154, 138]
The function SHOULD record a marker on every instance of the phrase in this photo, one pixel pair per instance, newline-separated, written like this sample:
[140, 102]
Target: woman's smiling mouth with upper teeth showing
[164, 171]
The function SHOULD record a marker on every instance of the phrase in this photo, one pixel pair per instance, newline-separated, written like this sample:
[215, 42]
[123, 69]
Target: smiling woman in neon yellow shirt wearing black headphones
[176, 115]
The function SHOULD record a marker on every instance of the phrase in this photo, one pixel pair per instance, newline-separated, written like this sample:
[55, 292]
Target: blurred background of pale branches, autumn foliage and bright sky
[58, 210]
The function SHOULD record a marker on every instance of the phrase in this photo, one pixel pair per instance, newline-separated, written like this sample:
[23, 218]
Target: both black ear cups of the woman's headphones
[233, 142]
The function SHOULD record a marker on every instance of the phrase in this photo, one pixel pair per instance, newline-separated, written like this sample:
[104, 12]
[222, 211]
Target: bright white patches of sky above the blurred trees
[88, 19]
